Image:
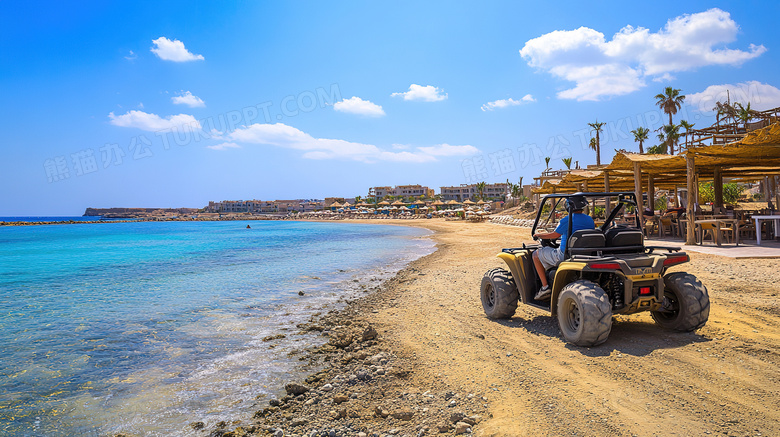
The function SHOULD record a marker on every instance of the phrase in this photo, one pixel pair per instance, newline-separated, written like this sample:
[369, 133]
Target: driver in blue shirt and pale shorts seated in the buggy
[548, 257]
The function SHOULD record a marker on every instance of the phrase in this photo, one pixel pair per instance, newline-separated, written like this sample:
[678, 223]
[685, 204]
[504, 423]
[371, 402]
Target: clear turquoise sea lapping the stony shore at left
[144, 327]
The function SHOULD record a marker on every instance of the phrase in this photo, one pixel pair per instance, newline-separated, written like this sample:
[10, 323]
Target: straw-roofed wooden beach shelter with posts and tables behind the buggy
[741, 152]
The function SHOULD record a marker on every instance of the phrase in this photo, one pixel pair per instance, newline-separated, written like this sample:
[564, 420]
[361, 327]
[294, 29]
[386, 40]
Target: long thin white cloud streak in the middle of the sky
[281, 135]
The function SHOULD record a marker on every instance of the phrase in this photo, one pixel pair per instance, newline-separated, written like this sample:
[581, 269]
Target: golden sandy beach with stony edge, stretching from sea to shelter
[438, 366]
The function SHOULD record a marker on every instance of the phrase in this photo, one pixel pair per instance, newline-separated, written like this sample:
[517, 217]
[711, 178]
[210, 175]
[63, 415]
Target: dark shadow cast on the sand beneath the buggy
[630, 337]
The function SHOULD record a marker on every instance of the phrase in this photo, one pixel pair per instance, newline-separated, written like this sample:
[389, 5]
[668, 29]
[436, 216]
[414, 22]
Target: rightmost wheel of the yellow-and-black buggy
[688, 303]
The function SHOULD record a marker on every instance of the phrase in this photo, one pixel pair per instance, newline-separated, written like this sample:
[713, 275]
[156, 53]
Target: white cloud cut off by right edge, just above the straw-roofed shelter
[761, 96]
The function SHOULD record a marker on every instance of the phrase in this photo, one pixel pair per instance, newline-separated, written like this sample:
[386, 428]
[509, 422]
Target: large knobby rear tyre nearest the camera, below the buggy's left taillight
[584, 314]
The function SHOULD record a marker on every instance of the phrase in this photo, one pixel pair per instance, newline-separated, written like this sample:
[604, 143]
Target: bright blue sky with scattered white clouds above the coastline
[167, 104]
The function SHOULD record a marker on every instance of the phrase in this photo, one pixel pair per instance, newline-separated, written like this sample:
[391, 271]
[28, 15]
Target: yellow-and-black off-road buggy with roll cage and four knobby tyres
[607, 270]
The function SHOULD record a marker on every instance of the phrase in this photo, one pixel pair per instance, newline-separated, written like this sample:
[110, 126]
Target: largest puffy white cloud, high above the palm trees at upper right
[601, 68]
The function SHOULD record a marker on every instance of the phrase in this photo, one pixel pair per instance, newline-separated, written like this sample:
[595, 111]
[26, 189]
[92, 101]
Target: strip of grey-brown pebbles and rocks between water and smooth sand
[366, 388]
